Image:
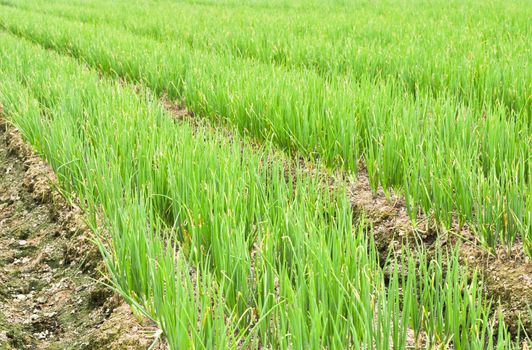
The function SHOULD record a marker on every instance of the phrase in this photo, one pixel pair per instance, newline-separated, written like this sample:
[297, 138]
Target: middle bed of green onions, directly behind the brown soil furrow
[450, 159]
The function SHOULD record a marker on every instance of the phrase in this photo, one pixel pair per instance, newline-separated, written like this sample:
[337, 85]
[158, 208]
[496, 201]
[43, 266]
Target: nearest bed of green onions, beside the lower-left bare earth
[219, 242]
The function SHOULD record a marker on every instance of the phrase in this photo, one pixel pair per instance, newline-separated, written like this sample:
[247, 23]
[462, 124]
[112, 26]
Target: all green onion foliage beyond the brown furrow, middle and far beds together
[445, 120]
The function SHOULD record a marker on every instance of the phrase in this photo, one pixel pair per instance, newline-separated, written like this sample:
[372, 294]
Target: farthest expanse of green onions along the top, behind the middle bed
[468, 55]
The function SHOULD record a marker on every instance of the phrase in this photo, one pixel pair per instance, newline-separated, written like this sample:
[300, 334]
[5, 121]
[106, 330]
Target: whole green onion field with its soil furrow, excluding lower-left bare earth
[287, 174]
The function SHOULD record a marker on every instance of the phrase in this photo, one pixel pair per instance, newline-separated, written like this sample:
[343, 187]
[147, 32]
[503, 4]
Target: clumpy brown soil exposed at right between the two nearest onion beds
[507, 275]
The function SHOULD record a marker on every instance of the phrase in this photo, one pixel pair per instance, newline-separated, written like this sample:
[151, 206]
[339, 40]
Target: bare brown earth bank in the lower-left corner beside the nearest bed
[50, 297]
